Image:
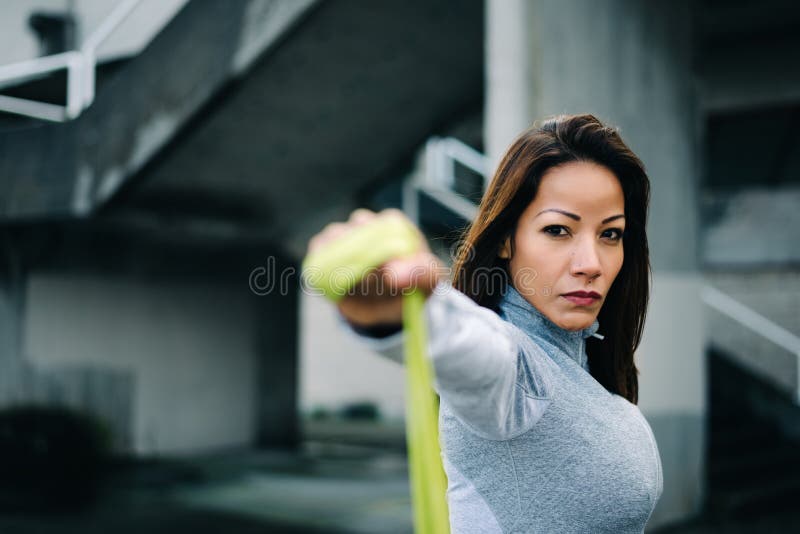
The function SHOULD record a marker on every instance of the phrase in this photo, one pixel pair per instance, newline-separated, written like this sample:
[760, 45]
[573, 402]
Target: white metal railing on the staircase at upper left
[80, 65]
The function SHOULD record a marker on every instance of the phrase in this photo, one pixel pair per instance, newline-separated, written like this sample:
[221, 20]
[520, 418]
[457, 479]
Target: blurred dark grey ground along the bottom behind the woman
[323, 488]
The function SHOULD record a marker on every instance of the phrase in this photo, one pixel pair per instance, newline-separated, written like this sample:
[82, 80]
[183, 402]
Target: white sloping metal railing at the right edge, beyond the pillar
[756, 323]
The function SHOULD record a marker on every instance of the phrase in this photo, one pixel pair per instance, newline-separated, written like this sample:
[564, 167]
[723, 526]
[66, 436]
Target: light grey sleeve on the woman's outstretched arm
[481, 368]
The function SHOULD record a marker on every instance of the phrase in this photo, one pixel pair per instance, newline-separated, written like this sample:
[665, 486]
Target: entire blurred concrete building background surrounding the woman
[164, 162]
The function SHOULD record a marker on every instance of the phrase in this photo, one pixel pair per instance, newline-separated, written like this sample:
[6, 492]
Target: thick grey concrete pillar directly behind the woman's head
[629, 63]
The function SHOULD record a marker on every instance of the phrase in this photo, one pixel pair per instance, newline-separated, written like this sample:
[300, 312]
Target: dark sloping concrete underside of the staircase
[347, 96]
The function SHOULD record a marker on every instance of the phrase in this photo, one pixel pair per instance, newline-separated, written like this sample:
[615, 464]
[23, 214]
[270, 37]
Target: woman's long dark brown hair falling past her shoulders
[483, 276]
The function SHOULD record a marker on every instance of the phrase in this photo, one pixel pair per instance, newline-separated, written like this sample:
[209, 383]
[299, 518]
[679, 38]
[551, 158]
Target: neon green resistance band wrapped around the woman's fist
[334, 269]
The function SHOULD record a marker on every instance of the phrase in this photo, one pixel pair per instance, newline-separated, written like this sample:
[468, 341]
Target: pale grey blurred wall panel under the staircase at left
[185, 347]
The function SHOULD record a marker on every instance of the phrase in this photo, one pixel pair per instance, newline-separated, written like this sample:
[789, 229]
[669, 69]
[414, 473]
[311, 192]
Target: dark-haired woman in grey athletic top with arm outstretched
[533, 342]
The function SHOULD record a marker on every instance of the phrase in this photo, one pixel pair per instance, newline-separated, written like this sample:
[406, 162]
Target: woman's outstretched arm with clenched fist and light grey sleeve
[481, 370]
